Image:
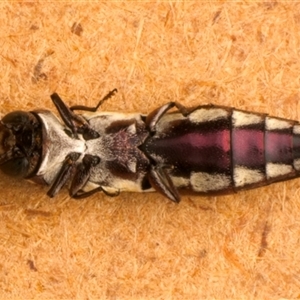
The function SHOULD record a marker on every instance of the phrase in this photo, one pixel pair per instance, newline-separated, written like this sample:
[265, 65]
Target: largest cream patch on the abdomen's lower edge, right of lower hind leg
[205, 182]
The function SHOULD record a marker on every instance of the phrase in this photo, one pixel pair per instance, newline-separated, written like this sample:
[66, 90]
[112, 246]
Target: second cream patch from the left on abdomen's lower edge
[243, 176]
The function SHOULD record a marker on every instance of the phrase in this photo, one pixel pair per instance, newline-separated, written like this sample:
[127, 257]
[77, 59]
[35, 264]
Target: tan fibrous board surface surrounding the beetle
[142, 246]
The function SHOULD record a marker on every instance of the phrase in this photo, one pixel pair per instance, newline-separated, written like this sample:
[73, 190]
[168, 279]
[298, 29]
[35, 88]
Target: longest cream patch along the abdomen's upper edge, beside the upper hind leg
[208, 114]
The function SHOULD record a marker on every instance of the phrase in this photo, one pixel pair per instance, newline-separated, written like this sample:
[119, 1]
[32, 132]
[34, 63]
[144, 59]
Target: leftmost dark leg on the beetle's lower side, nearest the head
[64, 174]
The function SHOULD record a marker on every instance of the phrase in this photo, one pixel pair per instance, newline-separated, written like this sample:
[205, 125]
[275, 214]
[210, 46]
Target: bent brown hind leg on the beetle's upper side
[153, 118]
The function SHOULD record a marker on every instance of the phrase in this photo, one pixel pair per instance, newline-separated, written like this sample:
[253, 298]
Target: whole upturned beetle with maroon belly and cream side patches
[206, 150]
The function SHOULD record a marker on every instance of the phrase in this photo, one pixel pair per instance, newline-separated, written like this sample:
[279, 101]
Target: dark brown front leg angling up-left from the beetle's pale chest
[76, 123]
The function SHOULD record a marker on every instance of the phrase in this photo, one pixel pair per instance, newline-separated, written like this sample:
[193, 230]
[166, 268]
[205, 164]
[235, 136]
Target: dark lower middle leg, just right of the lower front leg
[83, 172]
